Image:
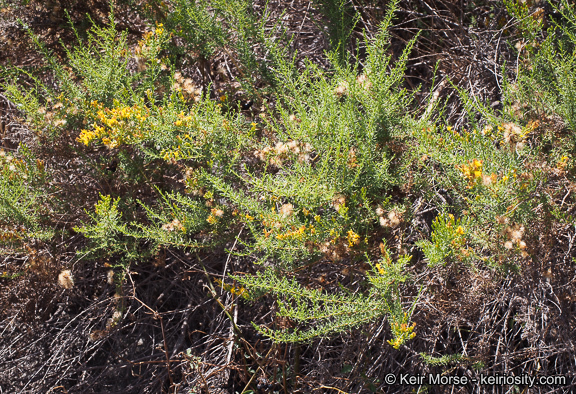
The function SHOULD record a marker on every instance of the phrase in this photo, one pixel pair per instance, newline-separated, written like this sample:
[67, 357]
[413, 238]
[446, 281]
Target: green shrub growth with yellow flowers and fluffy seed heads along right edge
[494, 173]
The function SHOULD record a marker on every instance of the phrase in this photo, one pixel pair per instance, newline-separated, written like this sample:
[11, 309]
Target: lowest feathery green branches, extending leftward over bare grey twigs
[318, 313]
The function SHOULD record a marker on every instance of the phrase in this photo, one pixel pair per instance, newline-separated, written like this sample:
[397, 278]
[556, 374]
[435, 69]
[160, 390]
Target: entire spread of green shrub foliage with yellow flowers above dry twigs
[331, 162]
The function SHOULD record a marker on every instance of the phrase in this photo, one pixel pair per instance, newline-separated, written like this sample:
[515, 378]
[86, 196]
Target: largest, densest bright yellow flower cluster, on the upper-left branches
[119, 125]
